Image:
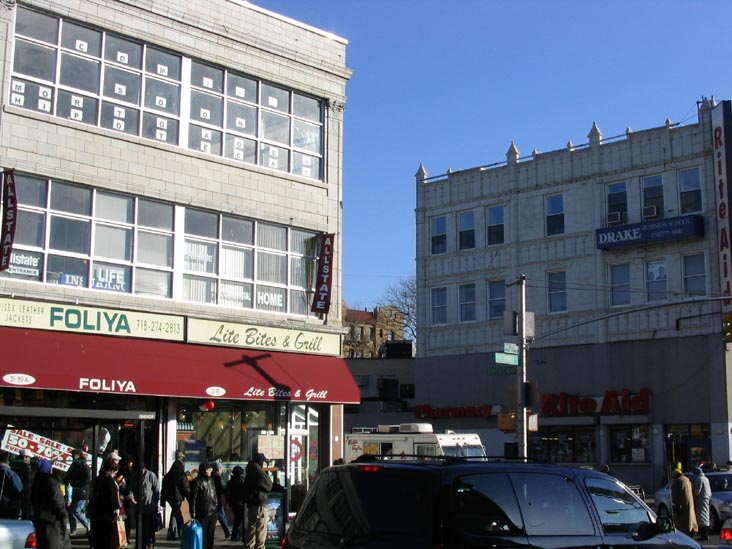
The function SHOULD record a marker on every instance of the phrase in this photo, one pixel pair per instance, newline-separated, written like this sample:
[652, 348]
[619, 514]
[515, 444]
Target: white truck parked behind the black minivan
[408, 440]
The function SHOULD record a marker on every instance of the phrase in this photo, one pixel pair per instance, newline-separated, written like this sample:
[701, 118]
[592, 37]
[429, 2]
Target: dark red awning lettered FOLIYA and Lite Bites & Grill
[74, 362]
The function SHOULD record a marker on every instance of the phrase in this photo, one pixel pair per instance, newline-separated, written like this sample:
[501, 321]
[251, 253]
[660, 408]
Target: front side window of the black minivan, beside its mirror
[619, 511]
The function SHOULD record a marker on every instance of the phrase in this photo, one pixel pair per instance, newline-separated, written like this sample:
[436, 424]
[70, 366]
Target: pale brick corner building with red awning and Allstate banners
[179, 184]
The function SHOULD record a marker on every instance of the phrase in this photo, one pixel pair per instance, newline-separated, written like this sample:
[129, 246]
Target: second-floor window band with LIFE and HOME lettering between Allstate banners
[74, 235]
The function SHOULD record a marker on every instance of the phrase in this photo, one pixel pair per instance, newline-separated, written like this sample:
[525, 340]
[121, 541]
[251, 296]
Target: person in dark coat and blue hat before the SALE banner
[49, 509]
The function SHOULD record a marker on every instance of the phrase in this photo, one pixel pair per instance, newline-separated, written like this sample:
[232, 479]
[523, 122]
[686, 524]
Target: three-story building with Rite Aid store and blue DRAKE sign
[620, 244]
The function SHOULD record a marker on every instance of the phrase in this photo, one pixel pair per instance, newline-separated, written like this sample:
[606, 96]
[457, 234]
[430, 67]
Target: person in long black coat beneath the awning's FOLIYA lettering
[105, 504]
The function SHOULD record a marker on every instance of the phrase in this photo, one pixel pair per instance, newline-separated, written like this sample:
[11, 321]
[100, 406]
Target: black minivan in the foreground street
[454, 503]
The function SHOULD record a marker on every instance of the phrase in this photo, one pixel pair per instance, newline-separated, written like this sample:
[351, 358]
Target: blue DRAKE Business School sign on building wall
[672, 228]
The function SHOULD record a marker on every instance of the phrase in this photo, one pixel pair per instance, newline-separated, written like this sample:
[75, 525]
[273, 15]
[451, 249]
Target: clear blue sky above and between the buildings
[450, 83]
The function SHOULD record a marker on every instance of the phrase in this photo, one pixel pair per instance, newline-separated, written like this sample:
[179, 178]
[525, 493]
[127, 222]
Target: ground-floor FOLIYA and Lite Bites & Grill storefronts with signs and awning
[151, 384]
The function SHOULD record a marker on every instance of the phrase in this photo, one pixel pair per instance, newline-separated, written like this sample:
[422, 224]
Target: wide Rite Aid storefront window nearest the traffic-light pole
[564, 444]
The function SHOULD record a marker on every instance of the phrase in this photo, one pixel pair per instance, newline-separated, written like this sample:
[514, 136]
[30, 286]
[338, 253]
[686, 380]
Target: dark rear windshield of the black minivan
[381, 503]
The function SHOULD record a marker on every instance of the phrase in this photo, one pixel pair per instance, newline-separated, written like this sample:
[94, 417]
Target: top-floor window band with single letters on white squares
[102, 79]
